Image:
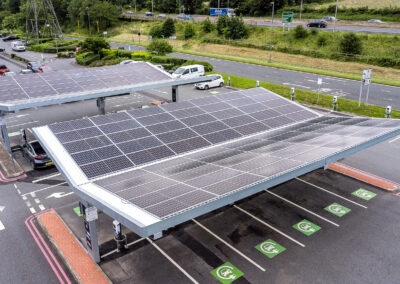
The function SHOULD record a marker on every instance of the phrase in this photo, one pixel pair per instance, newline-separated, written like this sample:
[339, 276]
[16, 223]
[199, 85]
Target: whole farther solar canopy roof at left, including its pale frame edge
[39, 89]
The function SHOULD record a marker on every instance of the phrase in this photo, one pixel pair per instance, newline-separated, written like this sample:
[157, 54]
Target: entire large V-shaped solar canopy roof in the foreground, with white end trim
[157, 167]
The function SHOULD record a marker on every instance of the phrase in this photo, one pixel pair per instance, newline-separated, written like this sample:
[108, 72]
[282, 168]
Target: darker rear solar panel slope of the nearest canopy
[106, 144]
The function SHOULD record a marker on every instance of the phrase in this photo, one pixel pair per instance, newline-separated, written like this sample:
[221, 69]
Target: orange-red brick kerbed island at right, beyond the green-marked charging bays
[366, 177]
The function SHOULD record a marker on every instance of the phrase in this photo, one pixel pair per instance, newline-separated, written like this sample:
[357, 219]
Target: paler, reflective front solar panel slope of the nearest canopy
[173, 186]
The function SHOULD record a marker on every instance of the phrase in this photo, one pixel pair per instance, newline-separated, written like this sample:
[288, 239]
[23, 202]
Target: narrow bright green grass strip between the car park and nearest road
[310, 98]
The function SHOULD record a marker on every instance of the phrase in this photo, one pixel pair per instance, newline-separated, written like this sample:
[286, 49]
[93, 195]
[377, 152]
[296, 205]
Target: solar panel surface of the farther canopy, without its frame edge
[32, 86]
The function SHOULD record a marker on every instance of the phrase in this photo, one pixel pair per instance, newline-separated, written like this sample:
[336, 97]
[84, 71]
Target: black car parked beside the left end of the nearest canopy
[35, 154]
